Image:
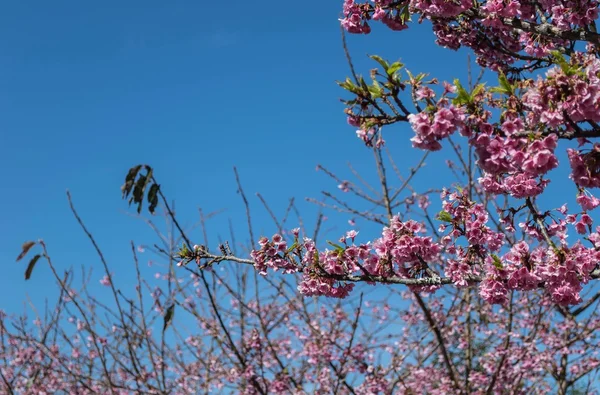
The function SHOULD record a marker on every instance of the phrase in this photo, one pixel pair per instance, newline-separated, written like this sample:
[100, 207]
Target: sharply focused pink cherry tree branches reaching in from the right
[512, 132]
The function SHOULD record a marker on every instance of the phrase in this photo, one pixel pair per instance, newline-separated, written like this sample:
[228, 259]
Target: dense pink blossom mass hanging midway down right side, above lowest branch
[513, 156]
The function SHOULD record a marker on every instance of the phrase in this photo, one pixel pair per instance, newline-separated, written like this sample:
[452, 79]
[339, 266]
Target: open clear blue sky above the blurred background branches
[88, 89]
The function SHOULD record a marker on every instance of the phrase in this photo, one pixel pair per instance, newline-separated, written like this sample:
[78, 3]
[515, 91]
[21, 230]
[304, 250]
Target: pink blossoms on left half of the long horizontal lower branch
[400, 251]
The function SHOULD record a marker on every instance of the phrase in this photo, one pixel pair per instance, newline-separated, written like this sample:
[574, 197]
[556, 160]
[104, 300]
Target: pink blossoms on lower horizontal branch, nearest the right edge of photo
[560, 270]
